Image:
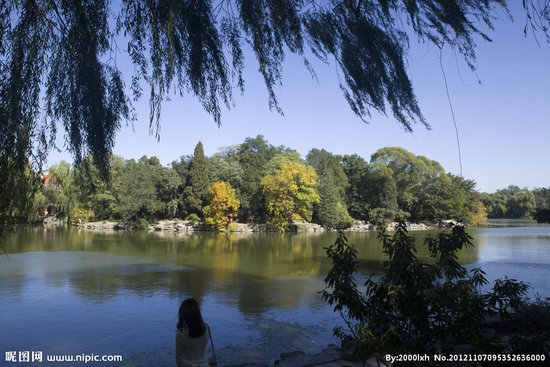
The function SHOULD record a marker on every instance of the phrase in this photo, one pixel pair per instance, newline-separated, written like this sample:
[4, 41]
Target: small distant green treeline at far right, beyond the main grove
[514, 202]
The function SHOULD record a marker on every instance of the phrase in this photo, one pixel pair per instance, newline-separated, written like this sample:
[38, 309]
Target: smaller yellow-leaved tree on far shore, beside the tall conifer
[222, 206]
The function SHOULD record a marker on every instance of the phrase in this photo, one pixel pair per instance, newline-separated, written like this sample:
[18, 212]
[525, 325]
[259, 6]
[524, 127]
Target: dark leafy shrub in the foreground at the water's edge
[416, 307]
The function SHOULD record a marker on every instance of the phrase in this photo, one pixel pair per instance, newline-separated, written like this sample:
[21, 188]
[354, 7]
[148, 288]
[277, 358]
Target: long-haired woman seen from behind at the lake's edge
[192, 336]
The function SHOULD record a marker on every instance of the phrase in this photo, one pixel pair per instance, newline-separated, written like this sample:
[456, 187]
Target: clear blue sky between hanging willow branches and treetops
[502, 112]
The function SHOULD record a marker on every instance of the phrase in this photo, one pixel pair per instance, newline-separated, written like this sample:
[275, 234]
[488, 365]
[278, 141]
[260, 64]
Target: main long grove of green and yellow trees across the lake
[258, 182]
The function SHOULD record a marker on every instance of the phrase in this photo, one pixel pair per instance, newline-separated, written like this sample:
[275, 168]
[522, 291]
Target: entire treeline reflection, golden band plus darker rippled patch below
[253, 271]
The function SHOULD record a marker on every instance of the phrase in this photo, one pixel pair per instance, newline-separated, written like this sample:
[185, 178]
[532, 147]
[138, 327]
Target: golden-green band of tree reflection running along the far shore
[264, 255]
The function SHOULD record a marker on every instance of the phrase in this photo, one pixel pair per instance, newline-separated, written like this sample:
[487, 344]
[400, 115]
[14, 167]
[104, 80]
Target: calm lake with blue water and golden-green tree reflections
[73, 292]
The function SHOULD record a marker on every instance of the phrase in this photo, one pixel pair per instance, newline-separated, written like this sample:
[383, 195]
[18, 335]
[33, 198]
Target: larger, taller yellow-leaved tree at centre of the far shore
[290, 193]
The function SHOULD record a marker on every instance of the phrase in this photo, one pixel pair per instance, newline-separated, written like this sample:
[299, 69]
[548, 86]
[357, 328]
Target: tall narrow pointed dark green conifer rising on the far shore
[198, 182]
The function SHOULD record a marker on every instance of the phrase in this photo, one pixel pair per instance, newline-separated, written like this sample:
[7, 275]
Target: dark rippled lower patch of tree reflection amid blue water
[251, 294]
